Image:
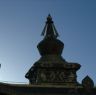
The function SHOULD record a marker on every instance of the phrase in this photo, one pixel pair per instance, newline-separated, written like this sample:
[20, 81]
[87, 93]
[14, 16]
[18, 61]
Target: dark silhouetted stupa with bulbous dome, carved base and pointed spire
[52, 68]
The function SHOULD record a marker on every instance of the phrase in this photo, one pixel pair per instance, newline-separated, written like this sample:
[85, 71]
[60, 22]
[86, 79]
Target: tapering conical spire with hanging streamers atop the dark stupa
[49, 29]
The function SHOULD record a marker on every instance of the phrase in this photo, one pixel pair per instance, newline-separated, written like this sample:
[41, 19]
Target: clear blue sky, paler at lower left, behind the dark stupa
[21, 24]
